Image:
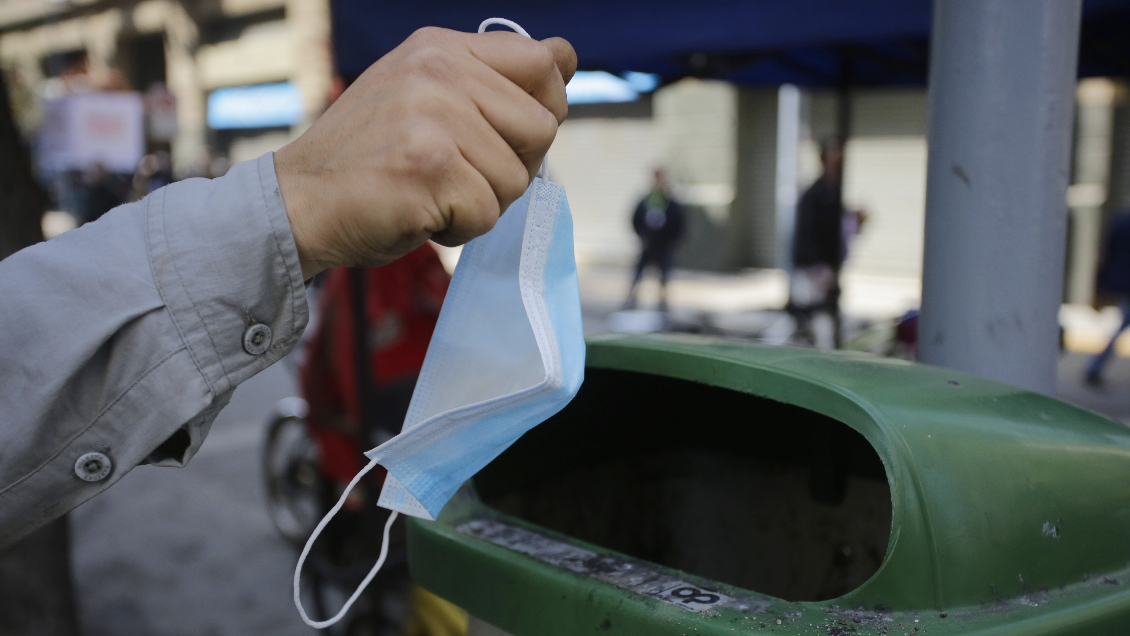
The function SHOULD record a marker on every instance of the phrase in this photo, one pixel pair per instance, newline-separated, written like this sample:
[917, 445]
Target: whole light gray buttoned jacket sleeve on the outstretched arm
[123, 339]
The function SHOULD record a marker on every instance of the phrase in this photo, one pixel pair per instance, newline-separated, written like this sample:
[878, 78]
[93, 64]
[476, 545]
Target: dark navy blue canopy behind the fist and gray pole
[812, 43]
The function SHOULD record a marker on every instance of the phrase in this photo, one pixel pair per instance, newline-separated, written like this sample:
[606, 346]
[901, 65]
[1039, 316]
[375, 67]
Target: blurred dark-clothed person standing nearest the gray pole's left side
[823, 233]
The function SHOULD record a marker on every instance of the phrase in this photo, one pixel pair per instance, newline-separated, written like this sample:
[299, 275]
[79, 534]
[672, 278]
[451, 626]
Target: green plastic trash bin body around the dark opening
[1011, 511]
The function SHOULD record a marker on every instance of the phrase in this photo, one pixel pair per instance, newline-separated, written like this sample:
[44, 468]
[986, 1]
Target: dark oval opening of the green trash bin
[745, 491]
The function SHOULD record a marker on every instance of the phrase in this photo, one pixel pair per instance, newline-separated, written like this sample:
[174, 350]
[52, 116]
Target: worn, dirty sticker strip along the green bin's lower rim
[628, 576]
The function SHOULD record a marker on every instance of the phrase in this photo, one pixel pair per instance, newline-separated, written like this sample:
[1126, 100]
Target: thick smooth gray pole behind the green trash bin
[1002, 99]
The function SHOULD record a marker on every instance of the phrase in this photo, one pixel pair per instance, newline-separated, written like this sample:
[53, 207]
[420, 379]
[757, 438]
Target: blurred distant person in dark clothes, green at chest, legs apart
[658, 222]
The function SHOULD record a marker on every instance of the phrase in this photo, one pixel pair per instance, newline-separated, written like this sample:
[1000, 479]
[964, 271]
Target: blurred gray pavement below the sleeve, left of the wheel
[192, 552]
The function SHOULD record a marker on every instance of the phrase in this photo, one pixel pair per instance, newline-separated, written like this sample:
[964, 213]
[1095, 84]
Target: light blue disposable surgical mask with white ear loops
[508, 353]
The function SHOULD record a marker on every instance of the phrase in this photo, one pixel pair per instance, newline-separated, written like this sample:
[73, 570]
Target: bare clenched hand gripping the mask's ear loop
[436, 141]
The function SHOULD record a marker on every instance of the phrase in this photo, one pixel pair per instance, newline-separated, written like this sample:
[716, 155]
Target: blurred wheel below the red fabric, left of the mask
[294, 484]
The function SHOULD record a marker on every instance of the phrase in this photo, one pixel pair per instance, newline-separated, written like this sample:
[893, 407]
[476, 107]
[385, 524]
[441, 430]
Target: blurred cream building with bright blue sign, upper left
[201, 50]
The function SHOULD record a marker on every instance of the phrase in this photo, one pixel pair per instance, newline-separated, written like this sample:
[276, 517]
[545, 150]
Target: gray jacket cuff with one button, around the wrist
[227, 266]
